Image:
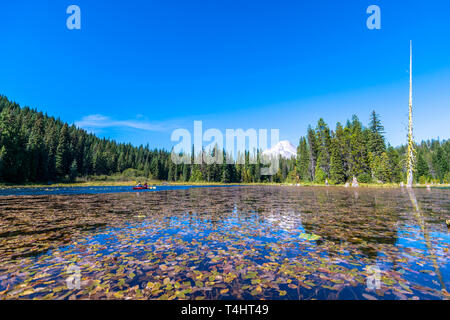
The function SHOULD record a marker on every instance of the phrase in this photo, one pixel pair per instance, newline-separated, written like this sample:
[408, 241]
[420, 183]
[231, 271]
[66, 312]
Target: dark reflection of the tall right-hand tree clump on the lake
[365, 221]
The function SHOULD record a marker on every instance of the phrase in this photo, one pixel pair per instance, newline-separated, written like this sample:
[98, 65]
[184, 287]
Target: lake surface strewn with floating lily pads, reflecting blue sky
[246, 242]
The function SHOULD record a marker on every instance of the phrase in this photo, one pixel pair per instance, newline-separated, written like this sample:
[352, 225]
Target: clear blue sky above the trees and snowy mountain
[137, 70]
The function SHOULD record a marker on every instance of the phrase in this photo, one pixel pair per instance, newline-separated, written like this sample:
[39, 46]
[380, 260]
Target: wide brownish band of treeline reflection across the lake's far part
[367, 222]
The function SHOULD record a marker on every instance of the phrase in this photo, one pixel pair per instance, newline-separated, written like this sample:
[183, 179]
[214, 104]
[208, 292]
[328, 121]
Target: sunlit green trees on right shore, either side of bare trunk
[357, 151]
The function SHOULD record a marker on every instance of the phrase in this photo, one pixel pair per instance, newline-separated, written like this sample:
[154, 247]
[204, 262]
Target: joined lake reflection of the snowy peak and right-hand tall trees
[367, 221]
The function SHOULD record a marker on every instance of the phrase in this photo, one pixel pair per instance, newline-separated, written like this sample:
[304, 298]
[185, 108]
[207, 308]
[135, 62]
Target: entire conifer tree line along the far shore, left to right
[35, 147]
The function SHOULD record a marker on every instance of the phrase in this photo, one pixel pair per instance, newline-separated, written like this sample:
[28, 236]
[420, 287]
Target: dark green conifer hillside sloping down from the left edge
[38, 148]
